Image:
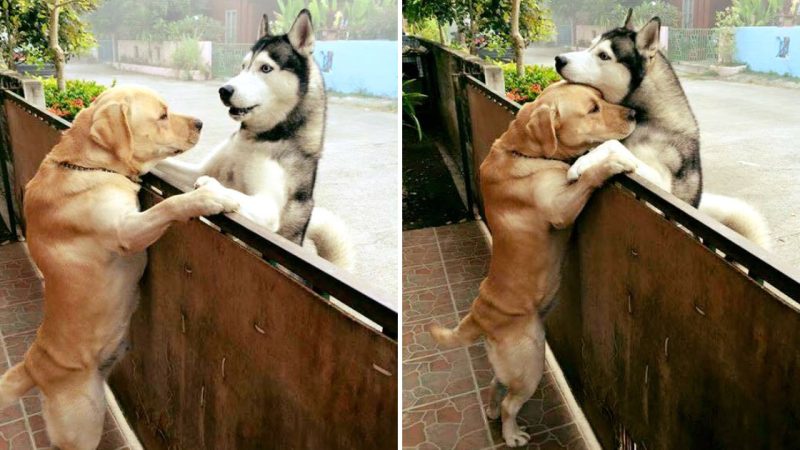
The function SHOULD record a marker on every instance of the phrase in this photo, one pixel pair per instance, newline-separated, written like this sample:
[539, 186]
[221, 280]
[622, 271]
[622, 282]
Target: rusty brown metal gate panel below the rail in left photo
[229, 353]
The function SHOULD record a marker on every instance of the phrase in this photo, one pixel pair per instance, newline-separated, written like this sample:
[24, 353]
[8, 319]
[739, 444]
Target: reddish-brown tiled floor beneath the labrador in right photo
[444, 390]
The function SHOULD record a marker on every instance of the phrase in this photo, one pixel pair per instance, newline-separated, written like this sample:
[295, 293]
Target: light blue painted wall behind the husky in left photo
[359, 67]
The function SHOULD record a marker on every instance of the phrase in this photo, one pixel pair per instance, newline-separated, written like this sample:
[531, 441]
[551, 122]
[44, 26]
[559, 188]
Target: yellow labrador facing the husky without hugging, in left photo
[88, 237]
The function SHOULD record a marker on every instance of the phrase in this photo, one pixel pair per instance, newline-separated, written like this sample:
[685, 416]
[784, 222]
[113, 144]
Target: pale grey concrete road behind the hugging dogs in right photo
[750, 147]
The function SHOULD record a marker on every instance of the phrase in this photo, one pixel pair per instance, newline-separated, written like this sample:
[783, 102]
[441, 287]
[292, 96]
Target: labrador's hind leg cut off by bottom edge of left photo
[74, 414]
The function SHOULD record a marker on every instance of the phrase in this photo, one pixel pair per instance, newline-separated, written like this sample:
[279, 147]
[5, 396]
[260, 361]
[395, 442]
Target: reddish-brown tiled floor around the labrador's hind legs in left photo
[22, 425]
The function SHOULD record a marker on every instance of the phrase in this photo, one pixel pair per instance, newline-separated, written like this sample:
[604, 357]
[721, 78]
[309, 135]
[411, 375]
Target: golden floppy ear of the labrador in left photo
[110, 130]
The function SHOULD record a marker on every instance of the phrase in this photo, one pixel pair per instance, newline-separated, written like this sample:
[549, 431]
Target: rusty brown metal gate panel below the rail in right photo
[662, 339]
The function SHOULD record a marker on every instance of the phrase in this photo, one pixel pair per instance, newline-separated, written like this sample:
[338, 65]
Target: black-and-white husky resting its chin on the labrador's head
[628, 68]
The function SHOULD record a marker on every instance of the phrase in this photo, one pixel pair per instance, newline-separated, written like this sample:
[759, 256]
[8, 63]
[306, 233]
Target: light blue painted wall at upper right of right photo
[764, 49]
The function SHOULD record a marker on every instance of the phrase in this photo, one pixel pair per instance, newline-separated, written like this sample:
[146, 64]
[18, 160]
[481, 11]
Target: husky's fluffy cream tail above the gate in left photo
[331, 238]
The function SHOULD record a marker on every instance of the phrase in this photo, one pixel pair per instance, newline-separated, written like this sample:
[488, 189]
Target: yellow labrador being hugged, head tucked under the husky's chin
[530, 207]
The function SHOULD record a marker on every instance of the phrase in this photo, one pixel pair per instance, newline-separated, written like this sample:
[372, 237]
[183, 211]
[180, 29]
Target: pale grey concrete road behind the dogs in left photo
[358, 176]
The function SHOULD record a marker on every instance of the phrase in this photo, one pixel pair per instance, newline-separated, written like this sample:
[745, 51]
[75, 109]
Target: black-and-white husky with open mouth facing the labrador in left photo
[278, 97]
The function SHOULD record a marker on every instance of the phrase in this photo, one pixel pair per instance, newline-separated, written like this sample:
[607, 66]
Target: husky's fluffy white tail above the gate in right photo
[738, 216]
